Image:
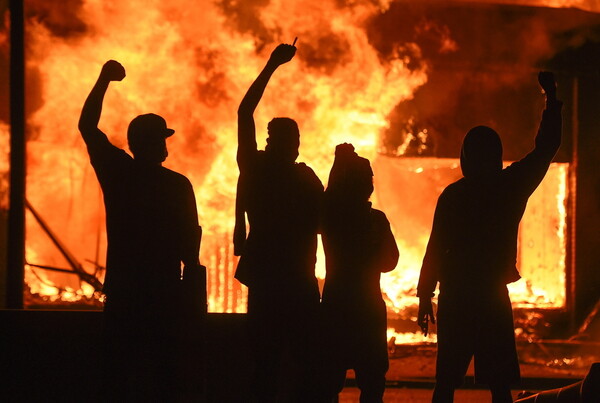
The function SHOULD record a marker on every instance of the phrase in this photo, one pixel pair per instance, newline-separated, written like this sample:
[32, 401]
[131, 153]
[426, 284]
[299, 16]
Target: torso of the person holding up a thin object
[282, 203]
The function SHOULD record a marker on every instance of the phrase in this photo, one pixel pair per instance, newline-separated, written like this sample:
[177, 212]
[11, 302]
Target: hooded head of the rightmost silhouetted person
[481, 153]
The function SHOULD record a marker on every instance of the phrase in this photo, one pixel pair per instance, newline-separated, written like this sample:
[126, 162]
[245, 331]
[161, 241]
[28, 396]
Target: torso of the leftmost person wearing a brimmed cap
[149, 220]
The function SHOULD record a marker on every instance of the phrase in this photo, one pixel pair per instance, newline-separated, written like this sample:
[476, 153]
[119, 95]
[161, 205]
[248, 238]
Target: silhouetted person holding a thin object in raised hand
[281, 199]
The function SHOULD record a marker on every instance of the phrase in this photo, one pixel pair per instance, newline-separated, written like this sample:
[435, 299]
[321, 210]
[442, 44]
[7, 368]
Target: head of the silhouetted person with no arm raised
[351, 176]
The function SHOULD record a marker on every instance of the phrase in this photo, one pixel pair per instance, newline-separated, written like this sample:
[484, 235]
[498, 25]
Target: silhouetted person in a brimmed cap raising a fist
[152, 227]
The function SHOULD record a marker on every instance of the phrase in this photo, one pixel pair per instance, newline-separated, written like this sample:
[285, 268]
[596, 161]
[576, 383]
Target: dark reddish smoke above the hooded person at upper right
[483, 61]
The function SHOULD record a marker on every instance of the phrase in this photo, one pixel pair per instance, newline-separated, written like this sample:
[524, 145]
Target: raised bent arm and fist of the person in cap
[92, 108]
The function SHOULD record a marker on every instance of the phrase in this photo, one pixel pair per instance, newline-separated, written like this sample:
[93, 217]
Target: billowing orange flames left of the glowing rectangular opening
[191, 68]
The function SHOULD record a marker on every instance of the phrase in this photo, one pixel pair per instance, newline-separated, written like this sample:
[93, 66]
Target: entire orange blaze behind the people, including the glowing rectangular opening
[192, 65]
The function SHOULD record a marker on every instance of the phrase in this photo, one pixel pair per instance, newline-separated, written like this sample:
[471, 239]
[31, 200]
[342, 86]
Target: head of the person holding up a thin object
[283, 140]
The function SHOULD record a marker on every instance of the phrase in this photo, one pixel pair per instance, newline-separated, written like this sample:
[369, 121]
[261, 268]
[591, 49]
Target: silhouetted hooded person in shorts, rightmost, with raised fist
[472, 253]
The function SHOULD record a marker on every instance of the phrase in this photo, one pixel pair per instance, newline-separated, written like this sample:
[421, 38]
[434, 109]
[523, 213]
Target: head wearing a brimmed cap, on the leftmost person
[147, 136]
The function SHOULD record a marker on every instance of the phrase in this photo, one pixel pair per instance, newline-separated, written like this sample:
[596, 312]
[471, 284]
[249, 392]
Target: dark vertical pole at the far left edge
[16, 214]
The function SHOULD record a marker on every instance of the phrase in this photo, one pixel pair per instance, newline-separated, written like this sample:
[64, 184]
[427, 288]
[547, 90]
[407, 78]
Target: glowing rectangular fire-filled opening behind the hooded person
[407, 190]
